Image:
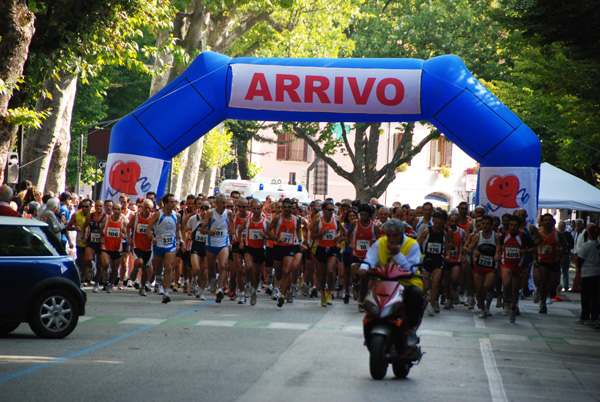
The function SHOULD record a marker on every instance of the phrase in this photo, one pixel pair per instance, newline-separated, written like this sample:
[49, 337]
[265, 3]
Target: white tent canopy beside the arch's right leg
[561, 190]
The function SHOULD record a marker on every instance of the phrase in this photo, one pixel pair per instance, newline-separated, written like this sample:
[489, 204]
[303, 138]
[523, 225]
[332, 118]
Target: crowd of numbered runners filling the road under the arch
[236, 247]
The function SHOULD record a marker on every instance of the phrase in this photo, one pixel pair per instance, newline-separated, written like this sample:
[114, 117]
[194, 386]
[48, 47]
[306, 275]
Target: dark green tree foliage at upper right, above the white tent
[554, 78]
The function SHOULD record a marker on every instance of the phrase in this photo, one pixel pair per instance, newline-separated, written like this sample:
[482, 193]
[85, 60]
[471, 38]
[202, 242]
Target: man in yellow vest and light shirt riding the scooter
[405, 252]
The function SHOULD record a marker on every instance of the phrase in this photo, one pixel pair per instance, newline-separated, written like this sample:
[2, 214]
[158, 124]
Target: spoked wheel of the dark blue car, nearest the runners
[54, 314]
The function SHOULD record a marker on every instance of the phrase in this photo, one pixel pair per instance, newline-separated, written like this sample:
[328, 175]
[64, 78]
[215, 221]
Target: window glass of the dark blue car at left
[28, 241]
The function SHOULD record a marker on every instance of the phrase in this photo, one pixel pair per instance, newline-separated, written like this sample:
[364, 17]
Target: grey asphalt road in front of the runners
[133, 348]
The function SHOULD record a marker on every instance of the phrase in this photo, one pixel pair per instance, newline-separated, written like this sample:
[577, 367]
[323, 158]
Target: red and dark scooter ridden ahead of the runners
[383, 325]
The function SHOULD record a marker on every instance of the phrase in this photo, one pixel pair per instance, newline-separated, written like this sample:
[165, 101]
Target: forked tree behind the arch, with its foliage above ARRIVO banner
[405, 29]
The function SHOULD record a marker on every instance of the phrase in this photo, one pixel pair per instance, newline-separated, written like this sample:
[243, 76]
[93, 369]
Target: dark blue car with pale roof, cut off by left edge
[39, 283]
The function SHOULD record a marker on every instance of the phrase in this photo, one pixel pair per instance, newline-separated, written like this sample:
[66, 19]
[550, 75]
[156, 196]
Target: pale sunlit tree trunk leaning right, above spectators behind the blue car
[39, 144]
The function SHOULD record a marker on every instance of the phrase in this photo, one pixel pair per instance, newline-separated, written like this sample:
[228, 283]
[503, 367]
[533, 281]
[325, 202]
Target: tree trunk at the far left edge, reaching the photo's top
[16, 31]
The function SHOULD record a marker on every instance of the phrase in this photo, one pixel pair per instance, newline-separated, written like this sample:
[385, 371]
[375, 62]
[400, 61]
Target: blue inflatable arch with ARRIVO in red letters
[215, 87]
